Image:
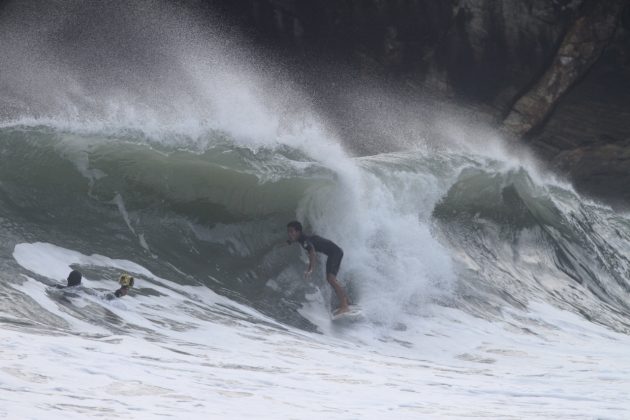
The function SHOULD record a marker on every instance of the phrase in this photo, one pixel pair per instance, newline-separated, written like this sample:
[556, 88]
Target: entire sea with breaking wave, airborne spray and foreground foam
[149, 139]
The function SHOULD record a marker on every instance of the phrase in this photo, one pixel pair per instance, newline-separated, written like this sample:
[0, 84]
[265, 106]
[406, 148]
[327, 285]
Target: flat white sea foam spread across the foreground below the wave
[453, 365]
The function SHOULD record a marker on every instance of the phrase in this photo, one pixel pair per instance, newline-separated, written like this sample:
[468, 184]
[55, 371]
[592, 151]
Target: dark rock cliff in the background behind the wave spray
[553, 73]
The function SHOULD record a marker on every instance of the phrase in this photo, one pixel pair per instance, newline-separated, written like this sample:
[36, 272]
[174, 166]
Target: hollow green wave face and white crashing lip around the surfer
[219, 215]
